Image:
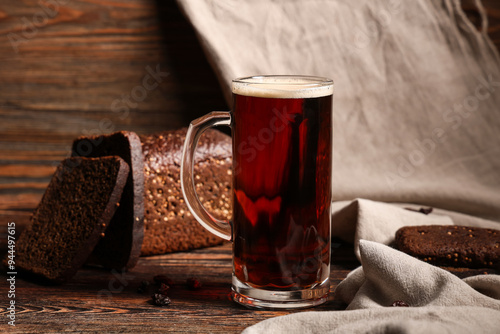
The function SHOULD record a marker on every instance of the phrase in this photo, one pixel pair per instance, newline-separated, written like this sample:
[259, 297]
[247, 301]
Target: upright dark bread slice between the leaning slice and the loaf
[121, 246]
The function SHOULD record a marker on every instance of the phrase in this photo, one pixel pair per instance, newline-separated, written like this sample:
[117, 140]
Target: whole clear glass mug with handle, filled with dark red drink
[282, 170]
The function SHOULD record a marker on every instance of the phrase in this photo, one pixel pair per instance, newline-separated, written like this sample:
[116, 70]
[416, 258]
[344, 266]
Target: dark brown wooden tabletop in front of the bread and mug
[104, 301]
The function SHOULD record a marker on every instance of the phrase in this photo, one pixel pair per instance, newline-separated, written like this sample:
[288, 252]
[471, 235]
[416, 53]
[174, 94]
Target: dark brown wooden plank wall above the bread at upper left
[62, 80]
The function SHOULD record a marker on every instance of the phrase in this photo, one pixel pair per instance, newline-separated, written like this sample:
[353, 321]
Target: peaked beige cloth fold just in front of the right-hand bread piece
[388, 275]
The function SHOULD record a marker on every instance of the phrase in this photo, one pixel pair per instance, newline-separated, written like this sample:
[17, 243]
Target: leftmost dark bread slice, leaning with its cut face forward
[78, 204]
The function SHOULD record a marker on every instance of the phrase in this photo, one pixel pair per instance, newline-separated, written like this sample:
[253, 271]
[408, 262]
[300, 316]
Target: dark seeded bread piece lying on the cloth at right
[451, 245]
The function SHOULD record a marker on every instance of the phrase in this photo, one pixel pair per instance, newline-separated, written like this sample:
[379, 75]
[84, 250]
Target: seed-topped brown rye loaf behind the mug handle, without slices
[168, 224]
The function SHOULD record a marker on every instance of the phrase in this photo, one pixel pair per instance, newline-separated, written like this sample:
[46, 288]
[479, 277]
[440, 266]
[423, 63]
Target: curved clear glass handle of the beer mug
[220, 228]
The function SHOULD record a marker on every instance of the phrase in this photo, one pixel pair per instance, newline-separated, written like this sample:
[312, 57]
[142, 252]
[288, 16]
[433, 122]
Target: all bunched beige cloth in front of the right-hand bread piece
[439, 301]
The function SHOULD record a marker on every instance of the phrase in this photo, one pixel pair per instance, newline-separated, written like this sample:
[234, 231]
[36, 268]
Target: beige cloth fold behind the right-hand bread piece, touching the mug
[376, 221]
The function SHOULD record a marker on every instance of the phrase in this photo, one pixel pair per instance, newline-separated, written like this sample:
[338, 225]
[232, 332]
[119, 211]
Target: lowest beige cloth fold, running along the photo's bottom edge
[429, 320]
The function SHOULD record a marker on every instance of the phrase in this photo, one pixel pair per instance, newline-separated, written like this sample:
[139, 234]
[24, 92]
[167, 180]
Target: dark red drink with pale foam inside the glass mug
[282, 170]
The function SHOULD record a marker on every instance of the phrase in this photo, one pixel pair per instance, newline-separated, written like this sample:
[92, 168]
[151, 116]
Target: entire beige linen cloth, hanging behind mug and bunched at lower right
[416, 120]
